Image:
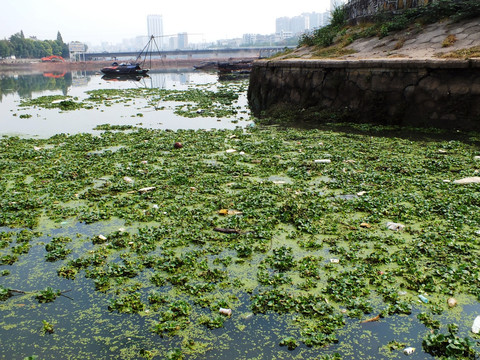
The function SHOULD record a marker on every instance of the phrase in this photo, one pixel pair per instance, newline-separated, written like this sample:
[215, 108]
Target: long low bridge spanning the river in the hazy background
[239, 52]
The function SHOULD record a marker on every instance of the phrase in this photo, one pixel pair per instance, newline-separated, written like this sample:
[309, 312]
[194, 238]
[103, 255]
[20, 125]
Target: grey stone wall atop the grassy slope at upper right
[364, 10]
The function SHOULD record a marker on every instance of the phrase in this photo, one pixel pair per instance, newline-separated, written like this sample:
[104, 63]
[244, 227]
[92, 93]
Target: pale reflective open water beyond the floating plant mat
[48, 122]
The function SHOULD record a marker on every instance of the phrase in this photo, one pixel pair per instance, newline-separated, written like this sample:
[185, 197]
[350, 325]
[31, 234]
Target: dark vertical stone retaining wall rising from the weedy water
[405, 92]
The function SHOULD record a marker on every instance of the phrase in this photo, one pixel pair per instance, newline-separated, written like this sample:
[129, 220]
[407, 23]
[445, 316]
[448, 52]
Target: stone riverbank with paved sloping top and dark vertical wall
[408, 78]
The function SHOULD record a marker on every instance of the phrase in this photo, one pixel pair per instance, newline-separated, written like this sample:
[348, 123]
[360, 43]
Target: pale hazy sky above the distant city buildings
[96, 21]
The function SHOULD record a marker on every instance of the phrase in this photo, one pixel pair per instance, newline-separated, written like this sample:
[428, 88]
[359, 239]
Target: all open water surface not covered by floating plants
[84, 328]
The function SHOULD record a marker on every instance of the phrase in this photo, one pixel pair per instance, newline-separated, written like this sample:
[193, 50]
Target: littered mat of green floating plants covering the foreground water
[340, 242]
